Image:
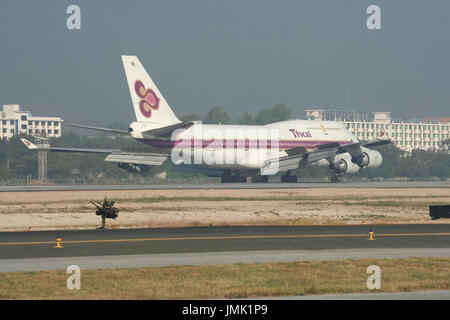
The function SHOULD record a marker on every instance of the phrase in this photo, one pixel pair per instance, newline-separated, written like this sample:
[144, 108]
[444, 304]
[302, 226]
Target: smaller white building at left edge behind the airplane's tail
[15, 121]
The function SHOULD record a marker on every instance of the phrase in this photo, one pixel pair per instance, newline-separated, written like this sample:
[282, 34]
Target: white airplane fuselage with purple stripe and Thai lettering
[247, 146]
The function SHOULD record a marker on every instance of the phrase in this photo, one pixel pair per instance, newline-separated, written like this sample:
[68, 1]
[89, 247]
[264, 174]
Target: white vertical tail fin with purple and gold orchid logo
[148, 103]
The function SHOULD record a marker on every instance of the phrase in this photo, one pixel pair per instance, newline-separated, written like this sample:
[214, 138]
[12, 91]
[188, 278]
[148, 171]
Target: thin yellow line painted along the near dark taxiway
[230, 237]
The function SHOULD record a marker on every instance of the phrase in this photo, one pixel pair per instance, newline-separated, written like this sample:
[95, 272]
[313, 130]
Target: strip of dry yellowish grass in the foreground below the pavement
[231, 281]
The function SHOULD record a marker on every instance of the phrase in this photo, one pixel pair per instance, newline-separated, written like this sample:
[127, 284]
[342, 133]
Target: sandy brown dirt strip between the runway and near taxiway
[170, 208]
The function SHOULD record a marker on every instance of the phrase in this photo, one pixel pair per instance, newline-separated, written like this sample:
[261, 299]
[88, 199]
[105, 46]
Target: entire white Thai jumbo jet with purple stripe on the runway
[233, 152]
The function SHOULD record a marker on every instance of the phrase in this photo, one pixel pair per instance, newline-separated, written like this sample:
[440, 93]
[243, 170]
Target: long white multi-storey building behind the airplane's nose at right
[426, 134]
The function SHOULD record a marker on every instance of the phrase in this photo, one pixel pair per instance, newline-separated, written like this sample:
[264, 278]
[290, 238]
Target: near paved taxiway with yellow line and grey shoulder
[31, 251]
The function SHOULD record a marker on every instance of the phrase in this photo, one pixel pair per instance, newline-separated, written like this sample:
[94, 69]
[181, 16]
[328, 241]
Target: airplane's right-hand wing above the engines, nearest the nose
[299, 156]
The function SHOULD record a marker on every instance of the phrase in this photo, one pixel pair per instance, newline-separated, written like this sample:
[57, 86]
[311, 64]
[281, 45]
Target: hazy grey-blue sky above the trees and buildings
[243, 55]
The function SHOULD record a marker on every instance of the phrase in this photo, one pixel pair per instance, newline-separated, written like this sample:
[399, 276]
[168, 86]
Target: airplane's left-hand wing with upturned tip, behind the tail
[134, 156]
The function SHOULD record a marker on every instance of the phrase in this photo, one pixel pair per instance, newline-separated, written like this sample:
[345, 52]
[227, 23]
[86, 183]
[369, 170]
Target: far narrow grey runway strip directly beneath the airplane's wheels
[426, 184]
